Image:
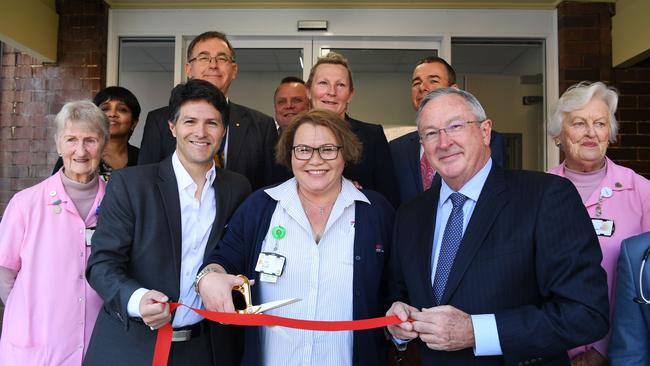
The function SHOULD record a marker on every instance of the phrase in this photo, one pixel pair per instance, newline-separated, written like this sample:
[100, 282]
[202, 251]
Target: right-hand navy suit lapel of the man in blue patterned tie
[489, 205]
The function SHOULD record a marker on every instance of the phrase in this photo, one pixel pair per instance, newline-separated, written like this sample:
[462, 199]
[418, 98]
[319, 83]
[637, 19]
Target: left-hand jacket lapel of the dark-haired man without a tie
[168, 188]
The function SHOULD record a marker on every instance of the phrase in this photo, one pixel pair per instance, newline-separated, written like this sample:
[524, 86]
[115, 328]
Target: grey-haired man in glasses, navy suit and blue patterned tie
[494, 267]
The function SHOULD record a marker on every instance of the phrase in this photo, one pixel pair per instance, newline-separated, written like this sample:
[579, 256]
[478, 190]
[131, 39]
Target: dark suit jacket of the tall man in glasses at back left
[251, 140]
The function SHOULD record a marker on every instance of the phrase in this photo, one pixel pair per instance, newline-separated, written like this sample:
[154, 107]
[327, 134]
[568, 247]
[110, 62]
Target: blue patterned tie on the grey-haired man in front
[449, 246]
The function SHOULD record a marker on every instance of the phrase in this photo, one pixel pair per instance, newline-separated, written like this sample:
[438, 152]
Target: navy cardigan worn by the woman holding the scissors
[240, 247]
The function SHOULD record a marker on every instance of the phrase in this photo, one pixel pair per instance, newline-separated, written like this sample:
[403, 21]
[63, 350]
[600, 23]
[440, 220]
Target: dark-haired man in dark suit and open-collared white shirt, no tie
[157, 224]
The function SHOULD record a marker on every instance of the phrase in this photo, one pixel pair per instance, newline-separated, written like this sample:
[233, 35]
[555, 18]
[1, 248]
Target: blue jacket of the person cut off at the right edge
[630, 342]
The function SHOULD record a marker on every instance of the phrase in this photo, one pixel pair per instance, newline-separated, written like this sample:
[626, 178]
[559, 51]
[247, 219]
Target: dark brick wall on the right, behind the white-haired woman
[585, 52]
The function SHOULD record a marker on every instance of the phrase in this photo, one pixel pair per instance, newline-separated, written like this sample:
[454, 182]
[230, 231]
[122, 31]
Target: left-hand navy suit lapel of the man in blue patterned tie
[428, 212]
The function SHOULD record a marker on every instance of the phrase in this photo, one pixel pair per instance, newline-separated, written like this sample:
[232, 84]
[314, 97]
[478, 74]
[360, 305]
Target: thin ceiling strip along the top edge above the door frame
[392, 4]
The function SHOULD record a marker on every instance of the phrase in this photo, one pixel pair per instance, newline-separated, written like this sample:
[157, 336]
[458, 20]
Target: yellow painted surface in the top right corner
[630, 32]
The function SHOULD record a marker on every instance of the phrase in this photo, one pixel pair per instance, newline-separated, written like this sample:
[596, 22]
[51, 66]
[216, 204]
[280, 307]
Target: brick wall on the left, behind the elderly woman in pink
[32, 93]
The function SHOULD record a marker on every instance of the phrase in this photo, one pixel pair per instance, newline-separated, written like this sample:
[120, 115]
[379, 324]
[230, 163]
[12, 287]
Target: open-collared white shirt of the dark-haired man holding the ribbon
[197, 217]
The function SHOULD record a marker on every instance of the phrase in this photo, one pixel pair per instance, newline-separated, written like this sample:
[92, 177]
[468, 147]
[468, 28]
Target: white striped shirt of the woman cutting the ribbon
[318, 273]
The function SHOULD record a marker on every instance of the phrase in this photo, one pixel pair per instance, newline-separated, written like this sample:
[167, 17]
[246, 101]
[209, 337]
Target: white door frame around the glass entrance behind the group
[437, 24]
